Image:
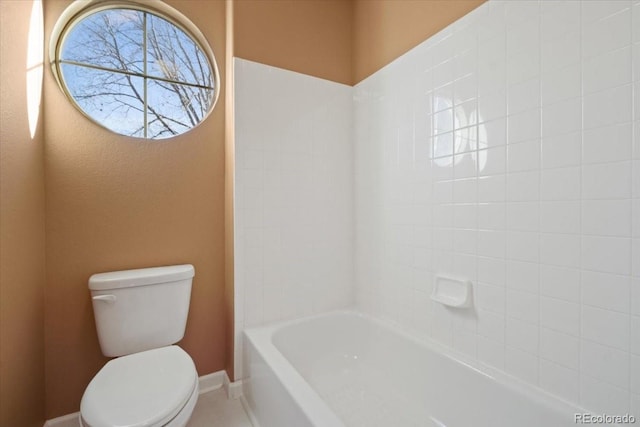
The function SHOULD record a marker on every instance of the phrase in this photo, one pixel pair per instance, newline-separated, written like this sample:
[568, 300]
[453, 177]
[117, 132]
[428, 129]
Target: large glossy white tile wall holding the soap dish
[506, 149]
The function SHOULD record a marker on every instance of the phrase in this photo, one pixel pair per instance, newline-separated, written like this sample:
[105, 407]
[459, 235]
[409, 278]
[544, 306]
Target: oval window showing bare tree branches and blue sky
[135, 72]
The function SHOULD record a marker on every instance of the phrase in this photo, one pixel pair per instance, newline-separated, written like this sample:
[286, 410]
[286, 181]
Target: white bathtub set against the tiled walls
[347, 369]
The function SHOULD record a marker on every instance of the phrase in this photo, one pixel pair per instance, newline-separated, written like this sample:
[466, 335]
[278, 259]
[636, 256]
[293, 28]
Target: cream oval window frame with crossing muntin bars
[79, 10]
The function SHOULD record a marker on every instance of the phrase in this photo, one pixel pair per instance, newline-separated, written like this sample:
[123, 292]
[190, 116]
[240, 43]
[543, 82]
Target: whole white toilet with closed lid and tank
[140, 315]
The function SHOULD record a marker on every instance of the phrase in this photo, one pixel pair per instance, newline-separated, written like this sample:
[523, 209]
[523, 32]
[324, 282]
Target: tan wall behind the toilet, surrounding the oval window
[115, 202]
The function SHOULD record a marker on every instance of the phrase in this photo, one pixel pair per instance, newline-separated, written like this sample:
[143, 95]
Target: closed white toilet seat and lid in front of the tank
[144, 389]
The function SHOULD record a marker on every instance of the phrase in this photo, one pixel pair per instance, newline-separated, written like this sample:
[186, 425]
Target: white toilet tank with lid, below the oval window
[138, 310]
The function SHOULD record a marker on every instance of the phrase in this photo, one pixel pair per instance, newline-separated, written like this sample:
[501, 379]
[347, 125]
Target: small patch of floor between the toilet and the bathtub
[214, 409]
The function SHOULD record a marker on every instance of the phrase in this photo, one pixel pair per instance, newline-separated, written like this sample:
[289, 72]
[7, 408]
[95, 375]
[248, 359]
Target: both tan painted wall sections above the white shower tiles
[339, 40]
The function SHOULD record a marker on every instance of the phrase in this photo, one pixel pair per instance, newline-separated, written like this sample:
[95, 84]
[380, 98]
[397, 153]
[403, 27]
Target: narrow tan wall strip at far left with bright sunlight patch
[22, 233]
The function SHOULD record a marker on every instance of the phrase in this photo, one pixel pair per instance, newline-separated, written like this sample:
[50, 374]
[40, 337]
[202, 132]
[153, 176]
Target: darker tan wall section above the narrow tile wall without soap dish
[309, 36]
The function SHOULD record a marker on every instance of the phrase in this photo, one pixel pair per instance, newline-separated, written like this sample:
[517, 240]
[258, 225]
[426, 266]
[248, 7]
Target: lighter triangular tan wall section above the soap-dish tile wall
[385, 29]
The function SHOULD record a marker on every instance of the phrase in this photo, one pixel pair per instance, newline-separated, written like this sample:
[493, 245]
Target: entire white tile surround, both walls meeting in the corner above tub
[505, 149]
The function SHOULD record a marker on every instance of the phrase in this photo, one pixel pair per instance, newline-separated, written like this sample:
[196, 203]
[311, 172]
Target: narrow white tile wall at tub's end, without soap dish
[293, 196]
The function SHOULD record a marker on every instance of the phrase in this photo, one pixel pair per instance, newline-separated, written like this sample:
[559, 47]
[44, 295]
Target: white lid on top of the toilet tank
[140, 277]
